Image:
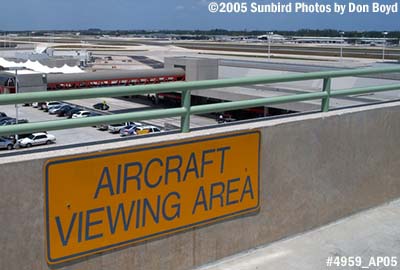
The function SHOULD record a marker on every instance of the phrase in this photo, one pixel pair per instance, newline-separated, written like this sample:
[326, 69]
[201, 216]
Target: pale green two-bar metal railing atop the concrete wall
[185, 88]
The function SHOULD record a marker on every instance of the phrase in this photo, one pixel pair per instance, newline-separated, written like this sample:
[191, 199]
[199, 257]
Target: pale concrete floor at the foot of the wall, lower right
[366, 240]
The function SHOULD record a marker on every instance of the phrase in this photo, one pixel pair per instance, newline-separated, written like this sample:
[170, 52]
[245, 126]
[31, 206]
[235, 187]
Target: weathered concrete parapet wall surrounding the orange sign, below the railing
[315, 169]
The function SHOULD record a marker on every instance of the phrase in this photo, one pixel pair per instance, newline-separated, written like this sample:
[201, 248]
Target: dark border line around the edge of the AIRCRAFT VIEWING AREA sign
[135, 149]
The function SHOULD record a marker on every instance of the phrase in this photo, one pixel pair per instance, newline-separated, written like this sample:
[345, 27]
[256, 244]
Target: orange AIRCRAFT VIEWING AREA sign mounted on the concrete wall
[96, 202]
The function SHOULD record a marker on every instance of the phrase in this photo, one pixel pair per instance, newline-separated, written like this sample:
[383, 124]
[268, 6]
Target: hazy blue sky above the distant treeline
[176, 14]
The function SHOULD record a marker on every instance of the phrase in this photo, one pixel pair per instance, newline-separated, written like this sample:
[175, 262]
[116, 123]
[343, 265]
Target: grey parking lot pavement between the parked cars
[91, 134]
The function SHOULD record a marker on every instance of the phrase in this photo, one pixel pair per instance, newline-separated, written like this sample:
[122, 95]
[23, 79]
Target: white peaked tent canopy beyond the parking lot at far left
[36, 66]
